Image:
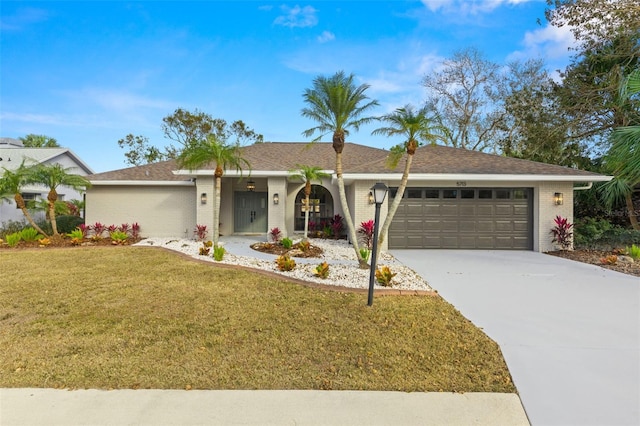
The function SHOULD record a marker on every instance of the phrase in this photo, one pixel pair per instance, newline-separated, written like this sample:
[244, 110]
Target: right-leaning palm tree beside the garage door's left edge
[418, 127]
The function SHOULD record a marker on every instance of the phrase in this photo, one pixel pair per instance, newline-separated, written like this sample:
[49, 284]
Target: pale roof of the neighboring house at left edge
[12, 154]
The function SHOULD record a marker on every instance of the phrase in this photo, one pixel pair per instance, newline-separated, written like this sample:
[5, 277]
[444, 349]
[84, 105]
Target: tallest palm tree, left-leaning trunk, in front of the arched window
[337, 105]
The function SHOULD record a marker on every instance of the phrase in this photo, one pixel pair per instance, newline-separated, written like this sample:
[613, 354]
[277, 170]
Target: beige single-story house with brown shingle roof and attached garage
[455, 198]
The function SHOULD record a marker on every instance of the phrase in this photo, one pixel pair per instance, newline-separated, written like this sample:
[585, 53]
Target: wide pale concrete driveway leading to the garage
[569, 332]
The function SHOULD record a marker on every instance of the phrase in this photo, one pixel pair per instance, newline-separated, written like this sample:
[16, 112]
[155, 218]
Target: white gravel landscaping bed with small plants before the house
[343, 266]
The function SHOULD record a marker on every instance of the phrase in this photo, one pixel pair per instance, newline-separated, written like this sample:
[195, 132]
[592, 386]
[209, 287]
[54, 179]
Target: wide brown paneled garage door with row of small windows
[463, 218]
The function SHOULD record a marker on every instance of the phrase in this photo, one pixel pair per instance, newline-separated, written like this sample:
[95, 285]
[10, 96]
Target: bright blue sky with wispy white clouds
[89, 73]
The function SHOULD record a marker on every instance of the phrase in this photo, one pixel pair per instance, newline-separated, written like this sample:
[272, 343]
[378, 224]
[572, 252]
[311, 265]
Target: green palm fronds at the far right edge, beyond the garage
[623, 158]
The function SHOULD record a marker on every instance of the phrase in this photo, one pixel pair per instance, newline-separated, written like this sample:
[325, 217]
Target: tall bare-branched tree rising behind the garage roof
[467, 93]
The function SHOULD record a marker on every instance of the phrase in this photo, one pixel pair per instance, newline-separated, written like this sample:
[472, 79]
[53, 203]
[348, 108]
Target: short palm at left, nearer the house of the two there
[52, 176]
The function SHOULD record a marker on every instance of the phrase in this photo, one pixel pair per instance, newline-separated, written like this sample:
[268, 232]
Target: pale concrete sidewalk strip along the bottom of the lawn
[174, 407]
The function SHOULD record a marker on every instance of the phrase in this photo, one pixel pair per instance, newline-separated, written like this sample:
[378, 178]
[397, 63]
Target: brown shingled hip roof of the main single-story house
[362, 162]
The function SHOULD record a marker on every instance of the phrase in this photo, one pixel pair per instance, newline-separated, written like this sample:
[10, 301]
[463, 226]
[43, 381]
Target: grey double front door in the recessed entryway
[250, 212]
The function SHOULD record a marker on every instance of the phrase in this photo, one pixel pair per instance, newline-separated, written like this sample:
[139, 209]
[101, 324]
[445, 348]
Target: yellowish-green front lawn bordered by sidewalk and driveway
[135, 317]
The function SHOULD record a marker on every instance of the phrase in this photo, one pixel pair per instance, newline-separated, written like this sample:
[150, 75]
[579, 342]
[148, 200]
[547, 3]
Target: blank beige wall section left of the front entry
[161, 211]
